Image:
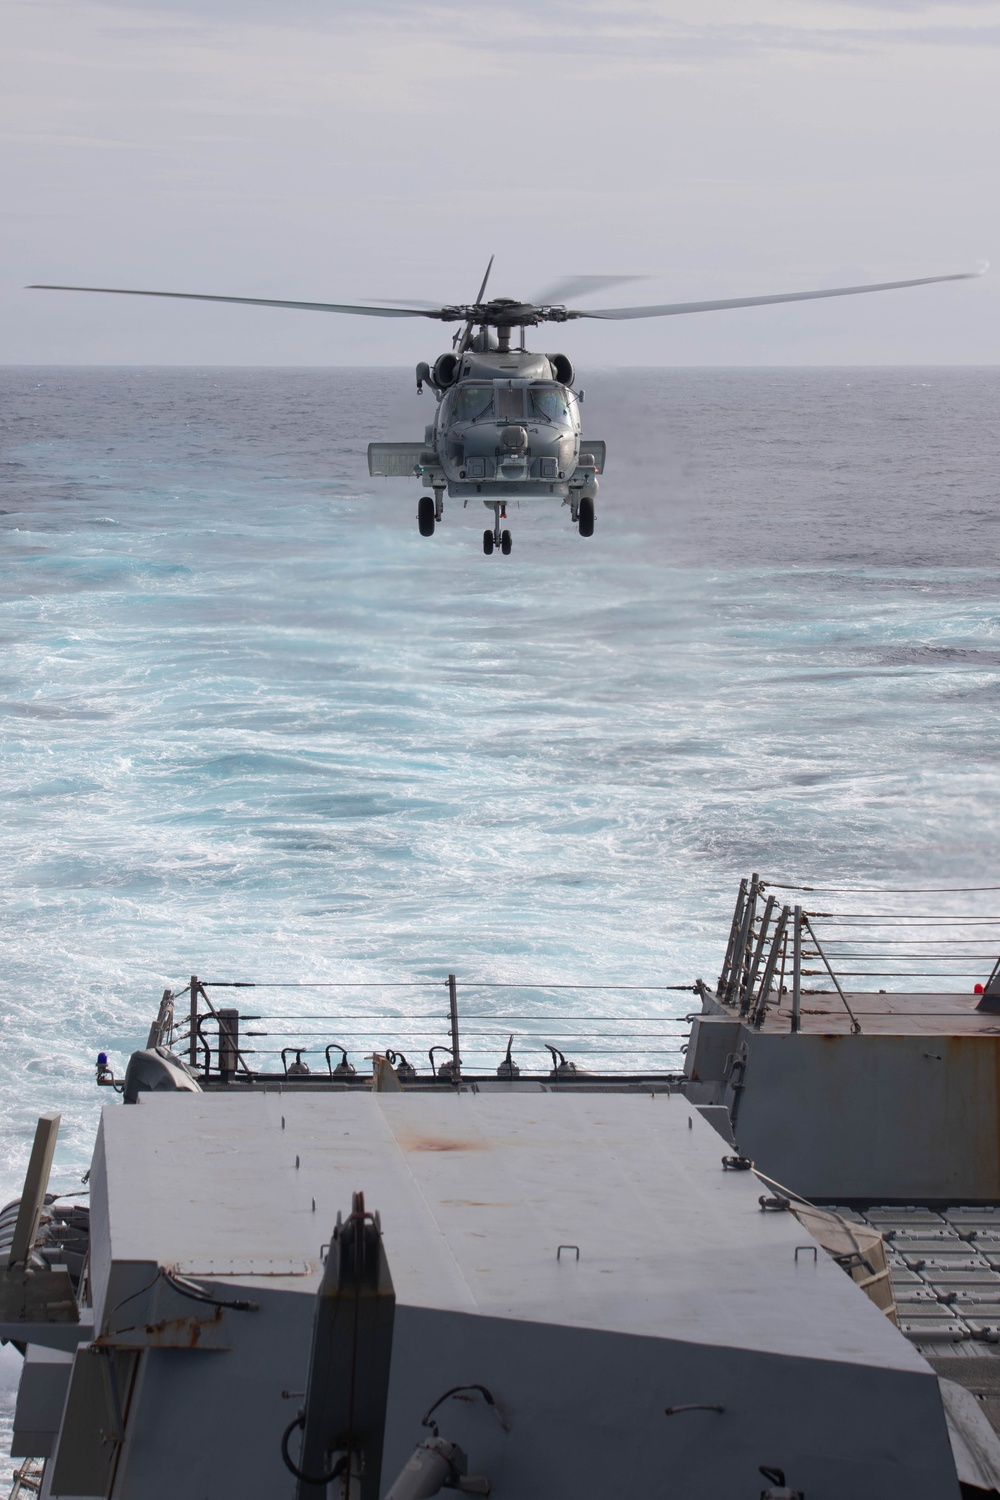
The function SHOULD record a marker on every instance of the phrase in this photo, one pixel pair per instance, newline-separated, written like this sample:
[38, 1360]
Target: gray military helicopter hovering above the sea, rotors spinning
[509, 422]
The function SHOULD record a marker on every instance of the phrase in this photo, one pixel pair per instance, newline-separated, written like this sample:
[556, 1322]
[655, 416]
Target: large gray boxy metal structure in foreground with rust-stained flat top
[641, 1324]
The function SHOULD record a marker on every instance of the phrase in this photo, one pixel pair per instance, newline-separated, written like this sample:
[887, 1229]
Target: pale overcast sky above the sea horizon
[323, 151]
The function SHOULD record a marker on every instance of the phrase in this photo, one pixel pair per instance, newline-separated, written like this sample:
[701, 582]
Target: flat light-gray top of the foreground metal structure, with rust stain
[476, 1196]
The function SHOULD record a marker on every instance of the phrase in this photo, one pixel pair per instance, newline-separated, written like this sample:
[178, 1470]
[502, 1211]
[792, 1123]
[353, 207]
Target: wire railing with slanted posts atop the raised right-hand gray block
[773, 941]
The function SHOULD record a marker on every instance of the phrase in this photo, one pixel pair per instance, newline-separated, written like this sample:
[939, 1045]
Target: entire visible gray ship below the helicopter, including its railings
[391, 1282]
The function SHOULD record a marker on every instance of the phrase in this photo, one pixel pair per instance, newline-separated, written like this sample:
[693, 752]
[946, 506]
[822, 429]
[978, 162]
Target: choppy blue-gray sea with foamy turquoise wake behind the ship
[257, 728]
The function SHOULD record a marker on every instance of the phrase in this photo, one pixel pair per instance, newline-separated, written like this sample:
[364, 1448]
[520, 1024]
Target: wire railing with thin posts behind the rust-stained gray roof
[500, 1028]
